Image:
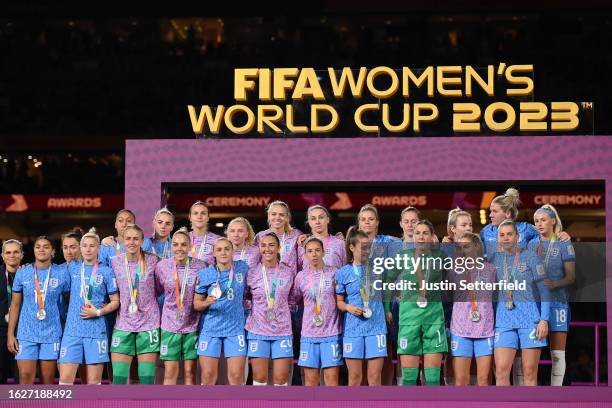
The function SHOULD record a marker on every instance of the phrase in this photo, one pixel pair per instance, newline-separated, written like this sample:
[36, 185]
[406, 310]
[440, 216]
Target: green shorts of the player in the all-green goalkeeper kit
[422, 339]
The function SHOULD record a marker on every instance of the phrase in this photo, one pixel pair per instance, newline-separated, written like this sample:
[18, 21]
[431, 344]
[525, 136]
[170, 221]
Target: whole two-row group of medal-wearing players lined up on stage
[211, 307]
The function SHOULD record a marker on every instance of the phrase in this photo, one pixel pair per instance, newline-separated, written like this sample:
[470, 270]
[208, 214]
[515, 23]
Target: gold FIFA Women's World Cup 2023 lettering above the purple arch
[494, 99]
